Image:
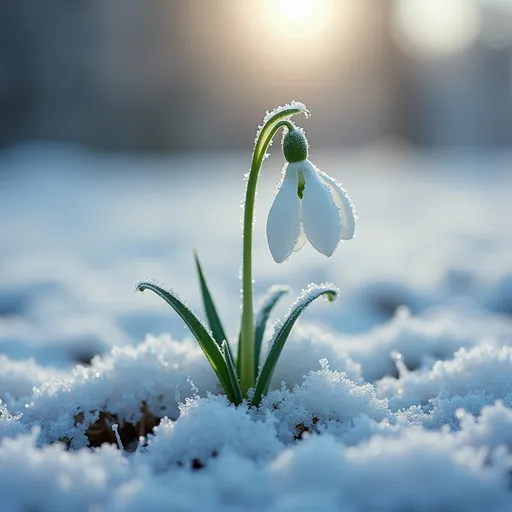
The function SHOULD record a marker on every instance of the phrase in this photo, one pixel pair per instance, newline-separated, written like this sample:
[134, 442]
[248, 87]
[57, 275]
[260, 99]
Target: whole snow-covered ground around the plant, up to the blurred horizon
[396, 397]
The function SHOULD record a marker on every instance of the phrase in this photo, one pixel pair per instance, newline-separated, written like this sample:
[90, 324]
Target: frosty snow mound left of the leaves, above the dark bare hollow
[151, 378]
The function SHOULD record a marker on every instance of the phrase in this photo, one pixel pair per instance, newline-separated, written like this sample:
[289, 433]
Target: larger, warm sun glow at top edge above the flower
[301, 37]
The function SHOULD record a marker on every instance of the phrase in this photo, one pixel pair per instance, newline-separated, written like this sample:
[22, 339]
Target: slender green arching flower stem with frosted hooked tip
[246, 352]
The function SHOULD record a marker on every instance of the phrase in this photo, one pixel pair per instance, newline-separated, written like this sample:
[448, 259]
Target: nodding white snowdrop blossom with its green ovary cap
[308, 204]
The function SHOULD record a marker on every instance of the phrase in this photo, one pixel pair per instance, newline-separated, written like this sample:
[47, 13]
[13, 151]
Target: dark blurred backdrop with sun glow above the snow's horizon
[171, 75]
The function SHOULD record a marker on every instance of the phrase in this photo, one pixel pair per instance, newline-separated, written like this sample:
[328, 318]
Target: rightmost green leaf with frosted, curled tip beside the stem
[281, 335]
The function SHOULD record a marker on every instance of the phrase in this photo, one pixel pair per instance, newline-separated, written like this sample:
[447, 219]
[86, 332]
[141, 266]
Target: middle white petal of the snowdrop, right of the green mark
[319, 212]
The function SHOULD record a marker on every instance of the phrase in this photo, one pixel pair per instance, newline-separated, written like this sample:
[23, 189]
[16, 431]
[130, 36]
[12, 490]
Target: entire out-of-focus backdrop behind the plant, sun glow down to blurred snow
[126, 127]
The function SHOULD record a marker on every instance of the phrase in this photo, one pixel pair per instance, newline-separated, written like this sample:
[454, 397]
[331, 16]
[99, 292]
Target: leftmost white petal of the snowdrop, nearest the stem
[283, 223]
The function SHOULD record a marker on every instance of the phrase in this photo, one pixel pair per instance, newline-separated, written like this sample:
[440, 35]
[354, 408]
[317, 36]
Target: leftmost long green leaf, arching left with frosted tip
[203, 337]
